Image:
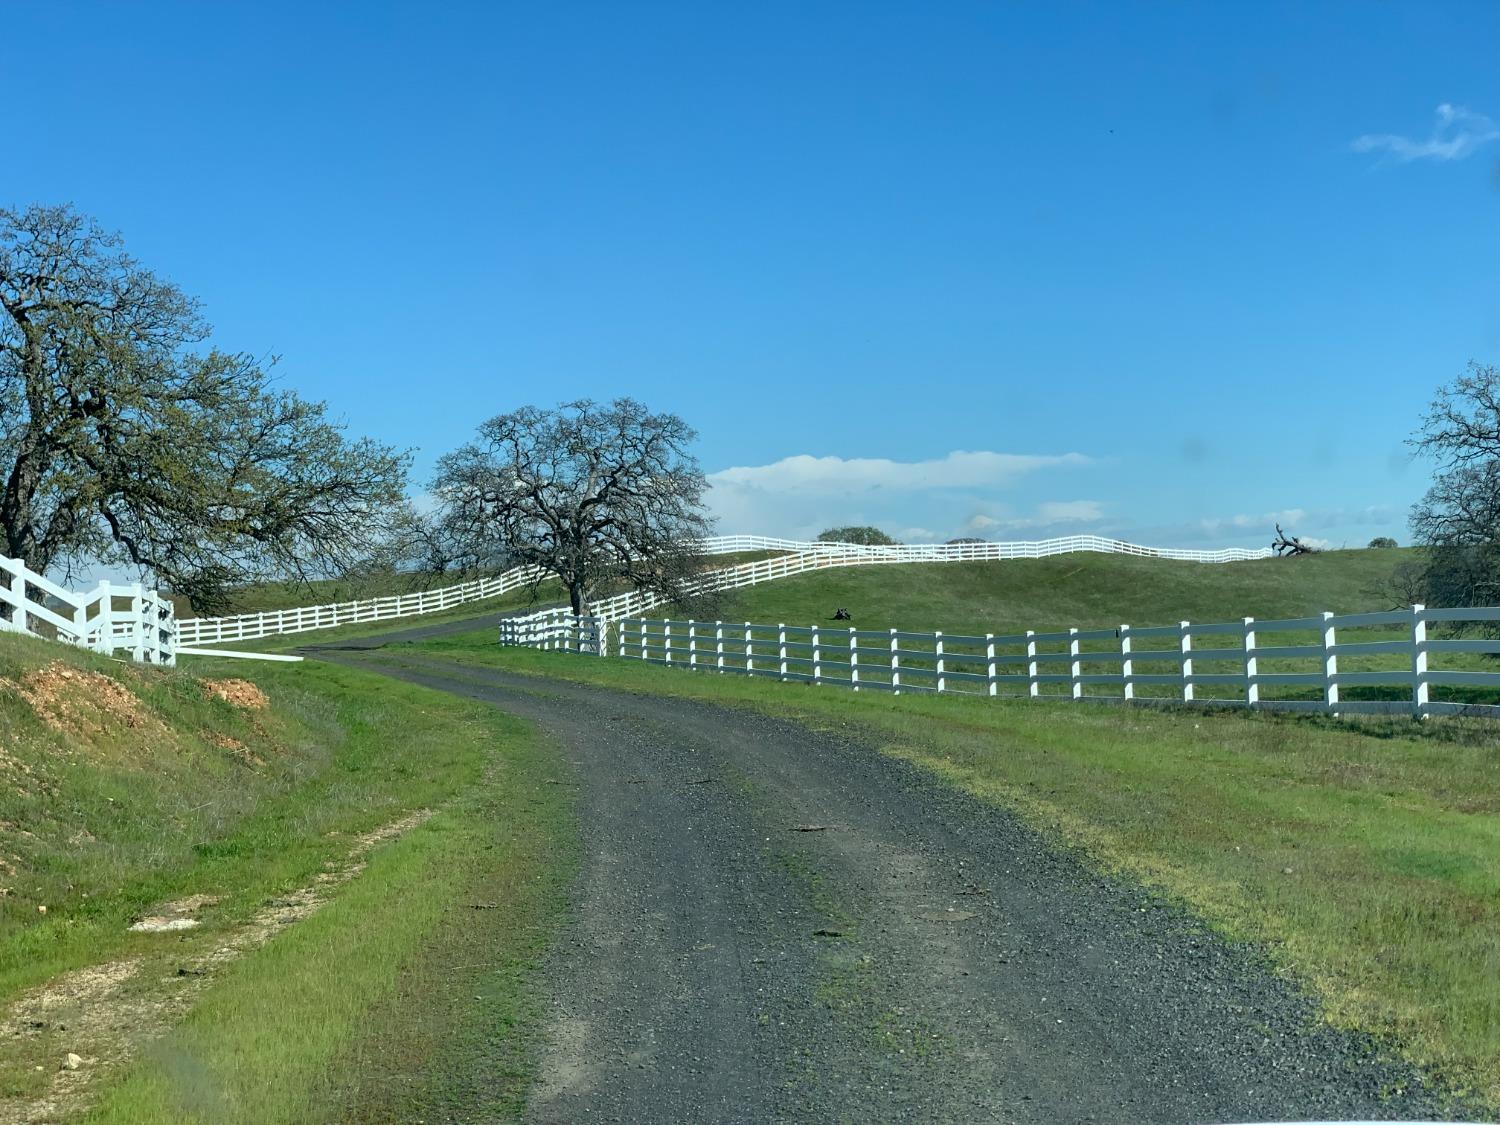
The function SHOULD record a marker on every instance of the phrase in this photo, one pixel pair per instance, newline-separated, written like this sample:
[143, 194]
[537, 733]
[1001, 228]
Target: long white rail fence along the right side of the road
[1351, 664]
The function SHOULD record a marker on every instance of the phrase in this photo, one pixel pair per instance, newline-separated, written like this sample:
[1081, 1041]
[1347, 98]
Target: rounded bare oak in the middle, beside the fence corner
[593, 494]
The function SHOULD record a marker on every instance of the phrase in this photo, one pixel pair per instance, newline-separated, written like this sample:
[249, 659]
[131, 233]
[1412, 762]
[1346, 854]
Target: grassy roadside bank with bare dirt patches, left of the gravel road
[232, 889]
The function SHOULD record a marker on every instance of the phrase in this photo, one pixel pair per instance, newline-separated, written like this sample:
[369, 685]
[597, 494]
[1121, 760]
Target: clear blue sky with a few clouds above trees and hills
[1159, 271]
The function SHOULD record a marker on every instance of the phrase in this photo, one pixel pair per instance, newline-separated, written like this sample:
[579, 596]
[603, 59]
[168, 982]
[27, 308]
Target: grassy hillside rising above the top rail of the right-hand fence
[1084, 590]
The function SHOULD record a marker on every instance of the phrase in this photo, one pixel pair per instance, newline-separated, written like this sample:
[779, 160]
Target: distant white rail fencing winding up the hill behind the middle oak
[800, 557]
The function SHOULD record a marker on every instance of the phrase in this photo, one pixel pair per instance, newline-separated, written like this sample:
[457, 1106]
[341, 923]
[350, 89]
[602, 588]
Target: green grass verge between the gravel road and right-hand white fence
[1364, 857]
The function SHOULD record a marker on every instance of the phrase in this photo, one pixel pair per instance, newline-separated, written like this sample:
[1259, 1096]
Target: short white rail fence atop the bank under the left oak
[143, 625]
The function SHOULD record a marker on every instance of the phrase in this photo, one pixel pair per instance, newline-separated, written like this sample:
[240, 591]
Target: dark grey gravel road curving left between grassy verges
[782, 925]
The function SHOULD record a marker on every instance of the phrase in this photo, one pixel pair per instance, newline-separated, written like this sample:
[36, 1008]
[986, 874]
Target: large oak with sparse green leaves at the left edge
[124, 446]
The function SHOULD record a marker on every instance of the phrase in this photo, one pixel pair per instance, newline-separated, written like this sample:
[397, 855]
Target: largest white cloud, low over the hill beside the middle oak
[916, 502]
